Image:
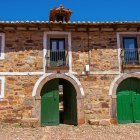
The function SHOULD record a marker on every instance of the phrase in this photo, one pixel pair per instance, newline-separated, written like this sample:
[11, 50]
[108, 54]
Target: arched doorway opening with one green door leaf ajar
[58, 103]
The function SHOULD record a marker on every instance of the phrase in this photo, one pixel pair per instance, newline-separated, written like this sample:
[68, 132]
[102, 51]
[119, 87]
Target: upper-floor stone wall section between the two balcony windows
[100, 51]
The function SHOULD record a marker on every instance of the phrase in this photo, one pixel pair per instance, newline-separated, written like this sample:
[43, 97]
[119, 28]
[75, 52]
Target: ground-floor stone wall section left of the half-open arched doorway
[18, 100]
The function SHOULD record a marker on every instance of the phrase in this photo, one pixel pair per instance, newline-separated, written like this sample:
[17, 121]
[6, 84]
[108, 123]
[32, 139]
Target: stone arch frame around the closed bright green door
[113, 89]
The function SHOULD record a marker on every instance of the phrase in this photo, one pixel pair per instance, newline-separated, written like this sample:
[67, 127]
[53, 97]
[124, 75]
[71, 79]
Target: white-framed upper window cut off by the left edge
[2, 44]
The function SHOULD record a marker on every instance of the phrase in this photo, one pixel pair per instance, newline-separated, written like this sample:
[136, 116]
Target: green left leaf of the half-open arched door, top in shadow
[50, 103]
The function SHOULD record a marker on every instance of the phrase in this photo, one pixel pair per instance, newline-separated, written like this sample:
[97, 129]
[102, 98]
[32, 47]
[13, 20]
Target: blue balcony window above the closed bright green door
[130, 50]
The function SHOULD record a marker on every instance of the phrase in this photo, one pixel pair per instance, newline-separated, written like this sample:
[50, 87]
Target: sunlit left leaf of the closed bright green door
[124, 107]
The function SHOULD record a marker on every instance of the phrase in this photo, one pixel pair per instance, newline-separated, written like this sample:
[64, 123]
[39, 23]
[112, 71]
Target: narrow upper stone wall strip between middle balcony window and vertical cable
[79, 51]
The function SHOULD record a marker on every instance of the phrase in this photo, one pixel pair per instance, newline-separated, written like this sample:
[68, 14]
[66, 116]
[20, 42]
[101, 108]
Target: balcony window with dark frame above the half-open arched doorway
[57, 52]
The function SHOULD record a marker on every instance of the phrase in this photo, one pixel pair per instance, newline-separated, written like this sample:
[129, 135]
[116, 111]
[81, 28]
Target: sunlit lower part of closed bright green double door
[128, 107]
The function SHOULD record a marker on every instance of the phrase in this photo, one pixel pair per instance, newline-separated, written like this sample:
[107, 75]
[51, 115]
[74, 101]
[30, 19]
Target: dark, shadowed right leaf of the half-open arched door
[70, 104]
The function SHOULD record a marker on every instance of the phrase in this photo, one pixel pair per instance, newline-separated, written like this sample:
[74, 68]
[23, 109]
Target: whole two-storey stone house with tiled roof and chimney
[59, 71]
